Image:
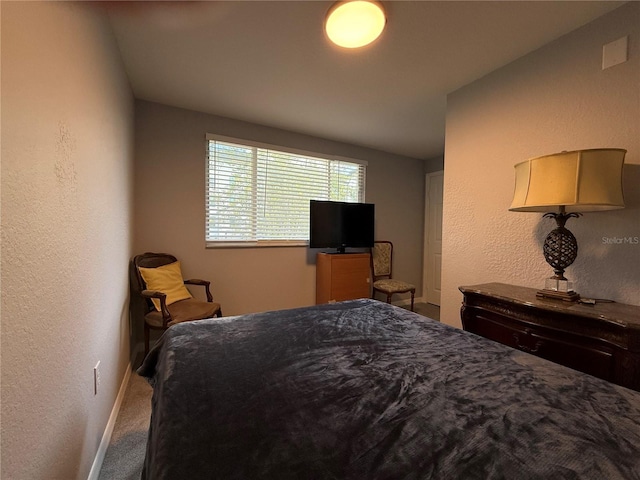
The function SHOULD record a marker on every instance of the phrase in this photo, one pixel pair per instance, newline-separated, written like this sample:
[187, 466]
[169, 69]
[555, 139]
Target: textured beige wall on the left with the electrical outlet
[67, 148]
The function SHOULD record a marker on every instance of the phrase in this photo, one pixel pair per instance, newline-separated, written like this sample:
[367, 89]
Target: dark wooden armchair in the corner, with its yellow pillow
[160, 311]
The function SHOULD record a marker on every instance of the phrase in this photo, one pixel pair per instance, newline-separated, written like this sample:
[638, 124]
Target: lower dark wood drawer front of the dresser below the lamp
[573, 351]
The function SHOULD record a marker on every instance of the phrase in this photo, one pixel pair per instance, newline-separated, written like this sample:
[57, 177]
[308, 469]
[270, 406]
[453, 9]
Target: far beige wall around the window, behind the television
[169, 216]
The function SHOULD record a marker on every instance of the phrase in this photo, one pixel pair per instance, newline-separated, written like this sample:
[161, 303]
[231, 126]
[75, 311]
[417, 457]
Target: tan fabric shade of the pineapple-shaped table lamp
[579, 181]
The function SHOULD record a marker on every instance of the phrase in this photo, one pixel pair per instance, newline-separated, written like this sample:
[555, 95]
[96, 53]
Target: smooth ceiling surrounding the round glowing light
[270, 63]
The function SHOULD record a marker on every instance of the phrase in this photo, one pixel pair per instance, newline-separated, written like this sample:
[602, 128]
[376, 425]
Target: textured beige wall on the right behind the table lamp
[557, 98]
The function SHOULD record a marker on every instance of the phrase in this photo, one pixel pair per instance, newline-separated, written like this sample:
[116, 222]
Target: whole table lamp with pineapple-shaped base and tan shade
[564, 185]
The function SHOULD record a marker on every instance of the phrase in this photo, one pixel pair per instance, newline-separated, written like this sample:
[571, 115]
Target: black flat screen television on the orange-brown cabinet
[341, 225]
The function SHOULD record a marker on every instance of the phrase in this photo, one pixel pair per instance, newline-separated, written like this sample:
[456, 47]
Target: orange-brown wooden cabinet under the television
[342, 276]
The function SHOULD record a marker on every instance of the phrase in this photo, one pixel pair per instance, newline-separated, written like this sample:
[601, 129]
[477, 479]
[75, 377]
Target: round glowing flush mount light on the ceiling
[355, 24]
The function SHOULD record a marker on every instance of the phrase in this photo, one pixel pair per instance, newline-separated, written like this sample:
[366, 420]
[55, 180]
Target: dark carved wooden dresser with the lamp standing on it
[602, 339]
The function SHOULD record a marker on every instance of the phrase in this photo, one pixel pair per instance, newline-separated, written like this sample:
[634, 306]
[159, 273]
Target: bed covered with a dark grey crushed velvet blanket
[366, 390]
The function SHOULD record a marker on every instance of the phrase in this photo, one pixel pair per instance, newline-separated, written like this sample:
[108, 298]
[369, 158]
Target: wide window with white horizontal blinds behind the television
[258, 195]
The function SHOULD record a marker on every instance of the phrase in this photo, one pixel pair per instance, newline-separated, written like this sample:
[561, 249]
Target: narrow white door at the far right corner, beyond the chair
[433, 237]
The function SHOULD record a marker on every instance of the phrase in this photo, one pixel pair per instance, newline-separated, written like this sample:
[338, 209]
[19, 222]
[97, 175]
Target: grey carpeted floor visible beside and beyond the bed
[125, 455]
